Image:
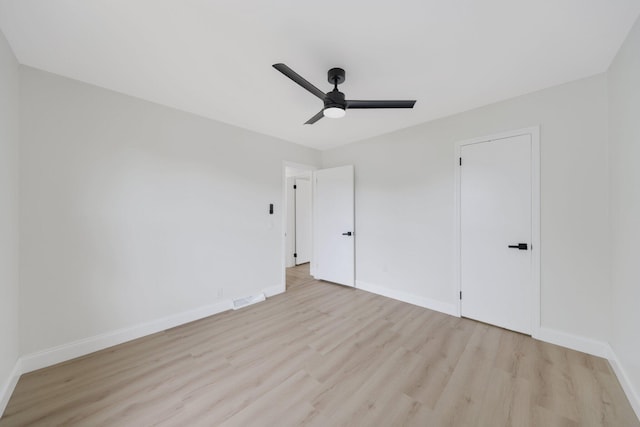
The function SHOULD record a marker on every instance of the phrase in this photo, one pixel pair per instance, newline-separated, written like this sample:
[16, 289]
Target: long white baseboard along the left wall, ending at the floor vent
[64, 352]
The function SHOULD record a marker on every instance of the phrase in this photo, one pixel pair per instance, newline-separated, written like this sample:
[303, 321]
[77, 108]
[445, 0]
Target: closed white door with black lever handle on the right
[495, 213]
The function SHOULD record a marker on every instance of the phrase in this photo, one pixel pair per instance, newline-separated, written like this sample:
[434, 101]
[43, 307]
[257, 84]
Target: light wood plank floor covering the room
[326, 355]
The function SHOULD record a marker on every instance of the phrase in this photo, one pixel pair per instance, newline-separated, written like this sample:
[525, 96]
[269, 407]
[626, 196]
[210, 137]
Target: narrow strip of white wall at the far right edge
[624, 139]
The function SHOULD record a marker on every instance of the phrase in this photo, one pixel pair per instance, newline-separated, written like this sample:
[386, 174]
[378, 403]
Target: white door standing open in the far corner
[333, 225]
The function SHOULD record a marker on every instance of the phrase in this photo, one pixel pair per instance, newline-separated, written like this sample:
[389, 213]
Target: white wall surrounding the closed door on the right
[405, 202]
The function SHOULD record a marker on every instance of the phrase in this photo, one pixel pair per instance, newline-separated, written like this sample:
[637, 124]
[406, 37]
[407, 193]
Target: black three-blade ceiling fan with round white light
[335, 105]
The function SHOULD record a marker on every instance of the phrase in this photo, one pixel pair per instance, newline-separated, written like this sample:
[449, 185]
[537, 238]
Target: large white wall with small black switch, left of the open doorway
[131, 211]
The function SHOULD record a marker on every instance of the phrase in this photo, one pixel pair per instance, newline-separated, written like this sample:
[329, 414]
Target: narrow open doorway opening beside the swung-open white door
[298, 243]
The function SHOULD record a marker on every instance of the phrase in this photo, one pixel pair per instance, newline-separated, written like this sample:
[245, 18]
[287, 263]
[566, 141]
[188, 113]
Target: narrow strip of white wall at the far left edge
[9, 138]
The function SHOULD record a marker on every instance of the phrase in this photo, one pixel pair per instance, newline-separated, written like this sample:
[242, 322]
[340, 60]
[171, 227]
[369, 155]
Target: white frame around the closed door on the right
[534, 292]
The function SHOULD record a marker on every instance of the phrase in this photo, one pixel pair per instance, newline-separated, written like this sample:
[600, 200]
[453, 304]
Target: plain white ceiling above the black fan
[214, 58]
